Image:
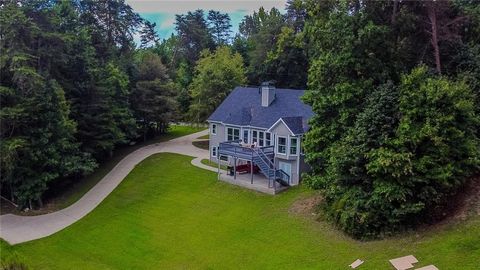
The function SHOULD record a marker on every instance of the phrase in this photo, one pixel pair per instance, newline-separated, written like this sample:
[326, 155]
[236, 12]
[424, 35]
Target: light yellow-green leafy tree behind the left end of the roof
[216, 74]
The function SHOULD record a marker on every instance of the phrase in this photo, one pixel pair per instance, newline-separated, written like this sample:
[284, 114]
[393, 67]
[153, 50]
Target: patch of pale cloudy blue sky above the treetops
[162, 12]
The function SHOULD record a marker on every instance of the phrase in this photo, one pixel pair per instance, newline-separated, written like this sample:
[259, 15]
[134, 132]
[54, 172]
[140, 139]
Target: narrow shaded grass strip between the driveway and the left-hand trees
[69, 194]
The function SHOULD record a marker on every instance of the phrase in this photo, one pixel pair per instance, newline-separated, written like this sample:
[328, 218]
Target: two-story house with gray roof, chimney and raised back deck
[262, 126]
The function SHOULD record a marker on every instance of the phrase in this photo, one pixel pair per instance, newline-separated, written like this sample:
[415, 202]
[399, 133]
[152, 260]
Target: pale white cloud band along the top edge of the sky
[182, 6]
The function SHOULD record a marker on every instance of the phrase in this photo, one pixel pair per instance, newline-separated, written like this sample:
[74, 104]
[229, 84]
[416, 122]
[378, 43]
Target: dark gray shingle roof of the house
[243, 107]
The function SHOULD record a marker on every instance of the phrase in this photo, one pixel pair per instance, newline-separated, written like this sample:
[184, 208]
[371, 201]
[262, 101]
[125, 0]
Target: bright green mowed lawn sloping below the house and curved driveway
[168, 214]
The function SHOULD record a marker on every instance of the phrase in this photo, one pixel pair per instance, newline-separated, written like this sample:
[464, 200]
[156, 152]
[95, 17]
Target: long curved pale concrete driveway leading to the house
[18, 229]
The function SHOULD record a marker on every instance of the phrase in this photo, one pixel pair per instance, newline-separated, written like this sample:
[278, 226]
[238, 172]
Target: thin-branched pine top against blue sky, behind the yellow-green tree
[219, 25]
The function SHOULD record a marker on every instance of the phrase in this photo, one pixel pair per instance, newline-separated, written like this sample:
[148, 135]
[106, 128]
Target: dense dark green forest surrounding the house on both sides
[395, 87]
